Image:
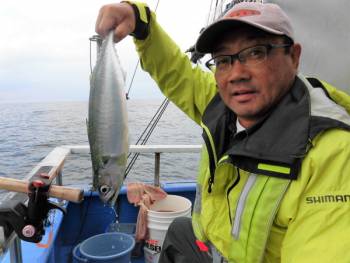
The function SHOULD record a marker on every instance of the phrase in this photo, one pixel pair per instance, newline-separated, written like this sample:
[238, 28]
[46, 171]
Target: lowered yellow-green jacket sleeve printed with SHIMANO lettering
[317, 210]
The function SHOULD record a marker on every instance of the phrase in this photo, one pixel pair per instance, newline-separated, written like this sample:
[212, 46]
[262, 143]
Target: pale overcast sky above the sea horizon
[44, 49]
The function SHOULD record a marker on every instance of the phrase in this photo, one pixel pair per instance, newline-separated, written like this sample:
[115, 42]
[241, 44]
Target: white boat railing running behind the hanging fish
[53, 164]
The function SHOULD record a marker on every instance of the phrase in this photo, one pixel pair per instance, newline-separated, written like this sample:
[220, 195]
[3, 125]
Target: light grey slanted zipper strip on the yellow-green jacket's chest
[241, 204]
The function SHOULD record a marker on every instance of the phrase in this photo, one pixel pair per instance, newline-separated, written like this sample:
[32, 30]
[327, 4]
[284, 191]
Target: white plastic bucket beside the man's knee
[159, 216]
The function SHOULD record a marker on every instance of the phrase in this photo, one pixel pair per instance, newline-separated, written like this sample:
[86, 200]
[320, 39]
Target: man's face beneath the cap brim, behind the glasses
[250, 91]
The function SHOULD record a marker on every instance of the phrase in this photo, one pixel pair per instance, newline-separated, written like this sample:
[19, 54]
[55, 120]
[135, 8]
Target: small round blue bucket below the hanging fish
[107, 247]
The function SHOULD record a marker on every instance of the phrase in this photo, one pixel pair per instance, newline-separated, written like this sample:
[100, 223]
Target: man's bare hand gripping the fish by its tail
[117, 17]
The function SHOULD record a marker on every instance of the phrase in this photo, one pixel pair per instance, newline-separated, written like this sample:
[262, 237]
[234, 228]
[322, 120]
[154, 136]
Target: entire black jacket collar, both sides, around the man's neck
[276, 145]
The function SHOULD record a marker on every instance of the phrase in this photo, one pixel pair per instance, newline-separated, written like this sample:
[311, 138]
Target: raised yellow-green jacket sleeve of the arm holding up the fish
[187, 86]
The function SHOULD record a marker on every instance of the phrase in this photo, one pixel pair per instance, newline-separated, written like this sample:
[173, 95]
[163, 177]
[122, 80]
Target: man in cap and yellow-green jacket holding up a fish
[274, 184]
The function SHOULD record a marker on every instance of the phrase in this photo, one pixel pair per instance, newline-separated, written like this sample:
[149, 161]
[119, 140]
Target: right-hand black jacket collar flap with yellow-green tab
[276, 145]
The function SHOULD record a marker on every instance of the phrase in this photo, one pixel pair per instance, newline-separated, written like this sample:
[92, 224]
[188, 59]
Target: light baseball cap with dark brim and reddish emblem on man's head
[265, 16]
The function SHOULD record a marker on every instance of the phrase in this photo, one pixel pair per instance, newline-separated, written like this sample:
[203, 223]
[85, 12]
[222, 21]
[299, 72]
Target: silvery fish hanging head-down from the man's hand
[107, 123]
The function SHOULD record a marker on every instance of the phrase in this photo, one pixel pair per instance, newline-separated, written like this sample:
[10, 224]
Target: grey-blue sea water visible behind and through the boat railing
[29, 131]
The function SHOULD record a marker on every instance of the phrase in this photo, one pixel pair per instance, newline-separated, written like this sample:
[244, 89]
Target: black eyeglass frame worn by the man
[237, 56]
